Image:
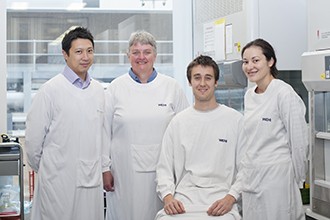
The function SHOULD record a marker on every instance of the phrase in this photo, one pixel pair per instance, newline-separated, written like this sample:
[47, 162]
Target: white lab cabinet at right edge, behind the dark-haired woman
[316, 78]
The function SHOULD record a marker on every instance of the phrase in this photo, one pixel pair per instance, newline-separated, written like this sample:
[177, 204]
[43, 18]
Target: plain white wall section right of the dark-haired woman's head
[284, 24]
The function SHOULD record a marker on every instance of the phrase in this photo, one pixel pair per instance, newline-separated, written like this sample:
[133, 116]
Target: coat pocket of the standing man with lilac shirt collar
[89, 173]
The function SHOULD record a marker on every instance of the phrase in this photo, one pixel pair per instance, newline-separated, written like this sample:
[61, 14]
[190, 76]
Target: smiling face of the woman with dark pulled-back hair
[256, 67]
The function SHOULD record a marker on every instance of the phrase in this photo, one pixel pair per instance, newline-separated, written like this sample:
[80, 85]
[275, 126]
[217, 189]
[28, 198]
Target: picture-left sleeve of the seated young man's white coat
[165, 173]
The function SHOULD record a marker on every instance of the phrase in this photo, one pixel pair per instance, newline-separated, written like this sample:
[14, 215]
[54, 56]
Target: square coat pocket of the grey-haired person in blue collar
[145, 157]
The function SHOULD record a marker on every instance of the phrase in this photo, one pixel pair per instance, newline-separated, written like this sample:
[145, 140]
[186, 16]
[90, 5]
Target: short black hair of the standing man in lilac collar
[78, 32]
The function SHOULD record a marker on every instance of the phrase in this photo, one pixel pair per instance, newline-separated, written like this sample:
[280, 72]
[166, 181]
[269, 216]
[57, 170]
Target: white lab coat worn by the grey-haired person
[137, 116]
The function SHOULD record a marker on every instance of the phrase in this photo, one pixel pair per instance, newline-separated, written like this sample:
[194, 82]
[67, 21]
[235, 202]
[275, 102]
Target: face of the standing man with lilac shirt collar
[80, 56]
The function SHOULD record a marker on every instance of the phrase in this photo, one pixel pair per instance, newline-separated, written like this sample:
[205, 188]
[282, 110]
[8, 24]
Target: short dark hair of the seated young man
[204, 61]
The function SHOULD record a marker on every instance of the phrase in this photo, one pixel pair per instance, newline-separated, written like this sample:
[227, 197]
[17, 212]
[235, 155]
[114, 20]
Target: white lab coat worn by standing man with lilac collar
[63, 145]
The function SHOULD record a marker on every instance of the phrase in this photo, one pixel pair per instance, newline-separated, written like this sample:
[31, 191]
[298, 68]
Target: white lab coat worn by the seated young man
[199, 161]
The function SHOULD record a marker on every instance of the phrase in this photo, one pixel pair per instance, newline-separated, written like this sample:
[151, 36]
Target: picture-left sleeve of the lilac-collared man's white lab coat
[38, 122]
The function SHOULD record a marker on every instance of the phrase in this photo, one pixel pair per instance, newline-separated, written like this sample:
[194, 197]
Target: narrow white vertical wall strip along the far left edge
[3, 65]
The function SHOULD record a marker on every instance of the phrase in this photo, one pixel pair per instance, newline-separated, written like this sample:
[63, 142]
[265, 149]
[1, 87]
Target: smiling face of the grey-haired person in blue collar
[142, 58]
